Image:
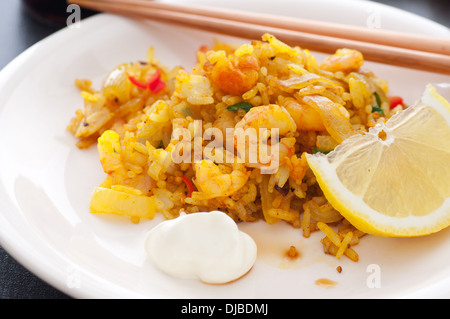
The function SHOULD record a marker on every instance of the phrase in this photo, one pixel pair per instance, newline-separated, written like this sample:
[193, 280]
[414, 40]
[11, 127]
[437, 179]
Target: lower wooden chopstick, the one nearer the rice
[187, 16]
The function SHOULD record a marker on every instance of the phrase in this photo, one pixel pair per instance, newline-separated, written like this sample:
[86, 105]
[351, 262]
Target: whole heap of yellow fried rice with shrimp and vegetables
[263, 84]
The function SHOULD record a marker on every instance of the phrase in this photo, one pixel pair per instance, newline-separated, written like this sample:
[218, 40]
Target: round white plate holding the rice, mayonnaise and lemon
[46, 182]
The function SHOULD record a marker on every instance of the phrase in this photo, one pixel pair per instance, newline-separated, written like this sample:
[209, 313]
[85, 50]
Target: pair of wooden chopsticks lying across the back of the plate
[389, 47]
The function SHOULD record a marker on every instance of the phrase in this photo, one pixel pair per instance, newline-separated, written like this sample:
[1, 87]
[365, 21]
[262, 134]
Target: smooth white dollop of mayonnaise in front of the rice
[207, 245]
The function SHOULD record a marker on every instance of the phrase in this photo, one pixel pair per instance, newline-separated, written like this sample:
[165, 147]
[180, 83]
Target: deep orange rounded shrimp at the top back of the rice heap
[236, 75]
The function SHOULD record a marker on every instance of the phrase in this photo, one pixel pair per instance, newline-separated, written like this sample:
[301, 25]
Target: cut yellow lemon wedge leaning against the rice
[395, 179]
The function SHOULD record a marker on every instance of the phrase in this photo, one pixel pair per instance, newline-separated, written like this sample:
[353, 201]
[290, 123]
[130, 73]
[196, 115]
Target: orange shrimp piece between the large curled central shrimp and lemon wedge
[306, 117]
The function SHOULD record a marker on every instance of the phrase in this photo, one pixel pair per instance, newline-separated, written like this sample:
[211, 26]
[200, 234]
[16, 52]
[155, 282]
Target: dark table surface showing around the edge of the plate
[18, 31]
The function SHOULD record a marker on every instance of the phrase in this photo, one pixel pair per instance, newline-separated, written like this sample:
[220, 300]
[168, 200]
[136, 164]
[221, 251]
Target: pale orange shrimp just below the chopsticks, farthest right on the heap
[345, 60]
